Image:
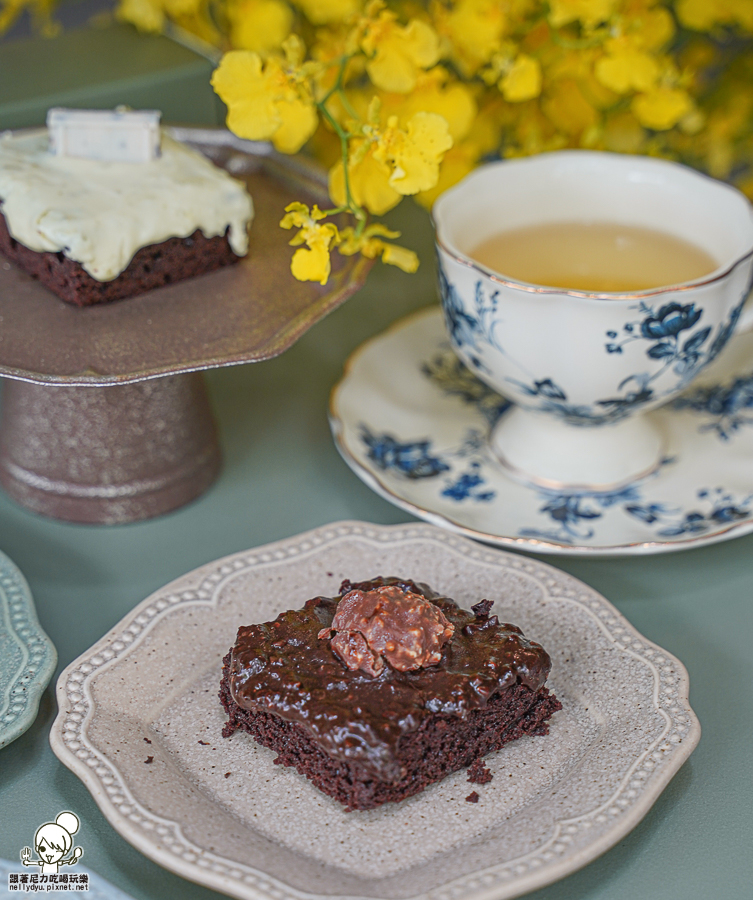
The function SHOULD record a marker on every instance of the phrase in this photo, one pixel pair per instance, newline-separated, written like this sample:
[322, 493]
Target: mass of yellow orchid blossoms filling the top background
[407, 99]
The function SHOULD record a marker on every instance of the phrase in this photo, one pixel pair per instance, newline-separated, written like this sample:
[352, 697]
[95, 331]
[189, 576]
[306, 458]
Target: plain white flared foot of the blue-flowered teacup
[544, 451]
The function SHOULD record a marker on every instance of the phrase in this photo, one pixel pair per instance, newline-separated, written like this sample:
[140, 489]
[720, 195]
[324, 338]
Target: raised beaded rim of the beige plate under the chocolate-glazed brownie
[567, 846]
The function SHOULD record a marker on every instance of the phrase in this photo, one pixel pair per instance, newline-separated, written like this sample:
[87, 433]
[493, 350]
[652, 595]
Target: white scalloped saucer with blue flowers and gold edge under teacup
[412, 422]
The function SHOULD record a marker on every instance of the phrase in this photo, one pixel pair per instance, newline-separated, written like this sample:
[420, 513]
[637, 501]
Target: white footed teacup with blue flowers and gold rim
[582, 368]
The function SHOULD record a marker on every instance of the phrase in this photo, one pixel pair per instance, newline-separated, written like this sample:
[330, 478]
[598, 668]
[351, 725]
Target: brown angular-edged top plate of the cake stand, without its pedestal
[243, 313]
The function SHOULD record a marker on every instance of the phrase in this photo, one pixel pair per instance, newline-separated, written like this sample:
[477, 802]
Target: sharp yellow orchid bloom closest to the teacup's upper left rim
[414, 153]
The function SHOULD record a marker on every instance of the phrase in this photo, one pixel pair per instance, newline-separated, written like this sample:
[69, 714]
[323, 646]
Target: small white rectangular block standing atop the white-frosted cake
[106, 135]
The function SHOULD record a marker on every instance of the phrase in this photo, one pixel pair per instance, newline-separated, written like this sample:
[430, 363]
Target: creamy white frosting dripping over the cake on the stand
[101, 213]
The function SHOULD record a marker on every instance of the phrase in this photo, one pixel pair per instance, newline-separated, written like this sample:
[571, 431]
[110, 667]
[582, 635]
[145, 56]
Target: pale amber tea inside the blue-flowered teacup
[593, 256]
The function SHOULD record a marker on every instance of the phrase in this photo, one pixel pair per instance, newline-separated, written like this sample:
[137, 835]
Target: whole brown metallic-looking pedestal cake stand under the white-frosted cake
[105, 415]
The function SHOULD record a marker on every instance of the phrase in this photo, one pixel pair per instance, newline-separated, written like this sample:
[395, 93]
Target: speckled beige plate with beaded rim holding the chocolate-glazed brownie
[140, 724]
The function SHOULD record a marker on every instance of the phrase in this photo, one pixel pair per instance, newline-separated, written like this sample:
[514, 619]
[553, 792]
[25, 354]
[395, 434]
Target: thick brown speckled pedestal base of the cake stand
[108, 454]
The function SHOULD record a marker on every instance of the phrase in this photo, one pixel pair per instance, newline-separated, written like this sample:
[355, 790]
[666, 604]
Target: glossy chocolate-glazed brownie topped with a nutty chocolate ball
[385, 689]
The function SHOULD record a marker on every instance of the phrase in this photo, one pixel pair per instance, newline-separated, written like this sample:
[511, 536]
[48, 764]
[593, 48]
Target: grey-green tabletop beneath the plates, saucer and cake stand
[282, 475]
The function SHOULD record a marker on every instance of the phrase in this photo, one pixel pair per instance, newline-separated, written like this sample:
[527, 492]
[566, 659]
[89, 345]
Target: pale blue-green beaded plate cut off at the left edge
[27, 657]
